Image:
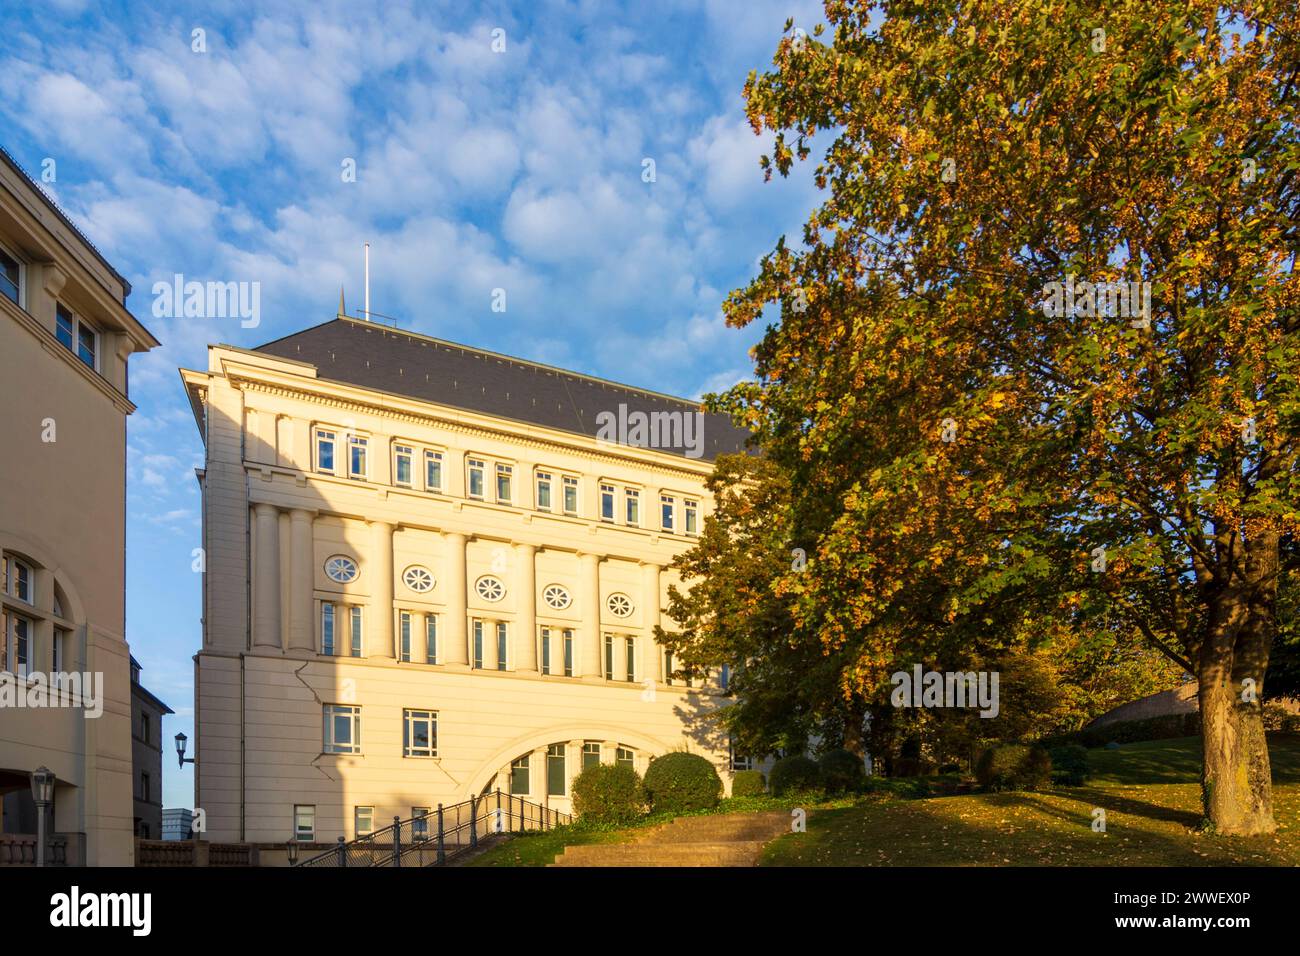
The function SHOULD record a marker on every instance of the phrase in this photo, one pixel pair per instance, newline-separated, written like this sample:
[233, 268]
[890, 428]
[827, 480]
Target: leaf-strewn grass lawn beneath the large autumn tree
[1150, 791]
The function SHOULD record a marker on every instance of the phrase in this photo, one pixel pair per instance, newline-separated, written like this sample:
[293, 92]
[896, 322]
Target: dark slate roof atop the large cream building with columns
[404, 364]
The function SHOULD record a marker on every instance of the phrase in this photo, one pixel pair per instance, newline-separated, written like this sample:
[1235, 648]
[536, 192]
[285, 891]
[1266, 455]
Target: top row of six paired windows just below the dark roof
[480, 473]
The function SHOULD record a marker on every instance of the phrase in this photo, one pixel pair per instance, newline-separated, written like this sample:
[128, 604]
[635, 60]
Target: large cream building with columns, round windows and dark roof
[431, 574]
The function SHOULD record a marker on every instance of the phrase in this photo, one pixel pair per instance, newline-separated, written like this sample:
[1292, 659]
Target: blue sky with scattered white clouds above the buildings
[475, 171]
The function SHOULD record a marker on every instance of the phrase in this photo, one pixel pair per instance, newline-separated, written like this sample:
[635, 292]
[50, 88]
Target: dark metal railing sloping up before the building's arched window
[444, 834]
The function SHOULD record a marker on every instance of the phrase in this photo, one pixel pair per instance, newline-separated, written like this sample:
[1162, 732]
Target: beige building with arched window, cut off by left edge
[66, 338]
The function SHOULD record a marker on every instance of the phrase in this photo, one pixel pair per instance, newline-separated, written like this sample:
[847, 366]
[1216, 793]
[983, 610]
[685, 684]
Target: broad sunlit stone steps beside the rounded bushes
[726, 841]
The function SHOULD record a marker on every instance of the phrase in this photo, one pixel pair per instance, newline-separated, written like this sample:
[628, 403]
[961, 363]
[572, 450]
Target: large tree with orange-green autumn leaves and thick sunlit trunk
[1039, 347]
